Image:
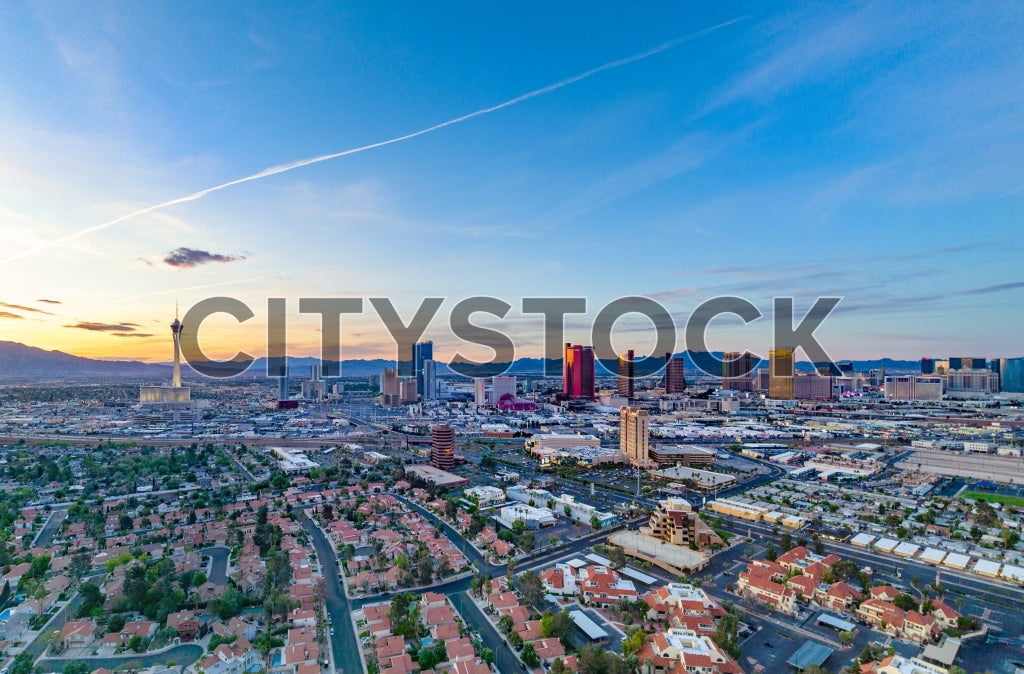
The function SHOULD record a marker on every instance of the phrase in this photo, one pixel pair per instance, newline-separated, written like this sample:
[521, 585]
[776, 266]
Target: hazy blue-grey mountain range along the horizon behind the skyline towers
[29, 362]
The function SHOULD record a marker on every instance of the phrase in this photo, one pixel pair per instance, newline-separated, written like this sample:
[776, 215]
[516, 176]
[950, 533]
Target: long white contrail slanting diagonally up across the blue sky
[274, 171]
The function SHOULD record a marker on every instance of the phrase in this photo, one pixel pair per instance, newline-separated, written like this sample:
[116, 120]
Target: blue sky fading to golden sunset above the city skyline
[869, 152]
